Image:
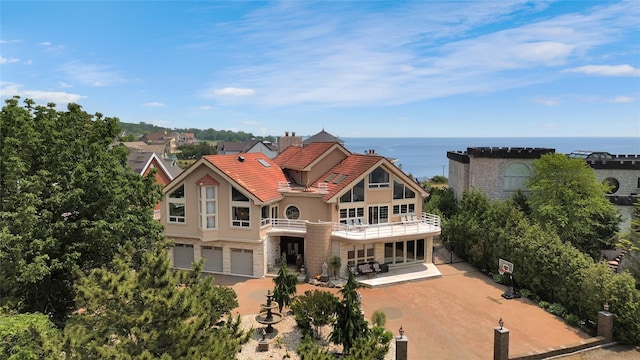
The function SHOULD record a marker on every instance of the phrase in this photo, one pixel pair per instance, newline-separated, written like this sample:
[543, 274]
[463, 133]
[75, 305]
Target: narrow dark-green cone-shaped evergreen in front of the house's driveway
[350, 324]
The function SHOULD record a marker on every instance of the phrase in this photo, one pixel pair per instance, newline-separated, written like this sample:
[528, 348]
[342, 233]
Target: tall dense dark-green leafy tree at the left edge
[69, 201]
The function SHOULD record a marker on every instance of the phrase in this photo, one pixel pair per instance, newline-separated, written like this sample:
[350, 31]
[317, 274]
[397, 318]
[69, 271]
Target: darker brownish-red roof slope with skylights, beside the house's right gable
[353, 167]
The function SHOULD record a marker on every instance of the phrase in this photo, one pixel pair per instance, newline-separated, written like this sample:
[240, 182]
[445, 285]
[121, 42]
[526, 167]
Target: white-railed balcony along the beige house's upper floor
[427, 224]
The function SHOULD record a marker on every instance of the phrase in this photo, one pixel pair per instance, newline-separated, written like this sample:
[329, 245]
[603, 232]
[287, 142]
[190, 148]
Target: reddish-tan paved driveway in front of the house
[448, 317]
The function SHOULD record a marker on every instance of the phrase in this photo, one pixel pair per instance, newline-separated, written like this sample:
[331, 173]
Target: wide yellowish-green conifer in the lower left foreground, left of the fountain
[153, 313]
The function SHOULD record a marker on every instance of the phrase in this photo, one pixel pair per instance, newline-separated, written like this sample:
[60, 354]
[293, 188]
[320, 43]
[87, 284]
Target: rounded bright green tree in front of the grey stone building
[566, 197]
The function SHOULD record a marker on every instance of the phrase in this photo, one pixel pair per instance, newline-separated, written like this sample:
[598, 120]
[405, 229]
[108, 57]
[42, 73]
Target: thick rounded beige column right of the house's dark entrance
[317, 247]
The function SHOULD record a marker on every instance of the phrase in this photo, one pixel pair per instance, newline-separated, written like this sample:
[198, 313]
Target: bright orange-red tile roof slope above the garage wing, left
[250, 173]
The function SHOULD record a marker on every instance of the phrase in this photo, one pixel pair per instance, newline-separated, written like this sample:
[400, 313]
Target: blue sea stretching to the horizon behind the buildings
[427, 157]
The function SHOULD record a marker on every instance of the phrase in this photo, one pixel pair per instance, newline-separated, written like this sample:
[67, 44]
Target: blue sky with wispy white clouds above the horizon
[354, 68]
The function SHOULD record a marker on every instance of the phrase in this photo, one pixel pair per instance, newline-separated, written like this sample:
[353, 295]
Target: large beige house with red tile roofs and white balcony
[241, 212]
